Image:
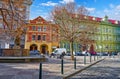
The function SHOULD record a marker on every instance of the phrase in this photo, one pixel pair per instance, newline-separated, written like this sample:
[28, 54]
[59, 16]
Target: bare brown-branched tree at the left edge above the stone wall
[13, 17]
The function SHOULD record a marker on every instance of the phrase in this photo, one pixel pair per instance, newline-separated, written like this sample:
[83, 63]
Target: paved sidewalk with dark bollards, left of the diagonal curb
[51, 69]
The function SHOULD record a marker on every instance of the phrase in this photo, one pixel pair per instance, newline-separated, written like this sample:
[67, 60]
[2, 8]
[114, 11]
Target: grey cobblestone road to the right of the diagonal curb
[107, 69]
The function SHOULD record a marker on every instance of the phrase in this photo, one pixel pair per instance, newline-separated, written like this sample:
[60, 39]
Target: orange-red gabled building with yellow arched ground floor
[41, 35]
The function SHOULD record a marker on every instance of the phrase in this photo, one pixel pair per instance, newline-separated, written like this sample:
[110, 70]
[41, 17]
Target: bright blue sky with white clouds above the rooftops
[97, 8]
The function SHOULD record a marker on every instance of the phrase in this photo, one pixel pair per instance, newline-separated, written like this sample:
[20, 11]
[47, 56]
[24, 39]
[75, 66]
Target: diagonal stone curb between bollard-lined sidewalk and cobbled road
[68, 75]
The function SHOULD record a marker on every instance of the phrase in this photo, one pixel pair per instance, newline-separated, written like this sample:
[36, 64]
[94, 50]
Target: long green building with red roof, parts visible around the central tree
[107, 37]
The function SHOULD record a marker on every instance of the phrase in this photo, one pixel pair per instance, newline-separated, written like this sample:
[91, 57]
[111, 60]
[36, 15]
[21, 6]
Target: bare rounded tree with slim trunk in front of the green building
[73, 23]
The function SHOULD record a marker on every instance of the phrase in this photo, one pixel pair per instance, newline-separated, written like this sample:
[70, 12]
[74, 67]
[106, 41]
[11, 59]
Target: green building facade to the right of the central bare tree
[108, 36]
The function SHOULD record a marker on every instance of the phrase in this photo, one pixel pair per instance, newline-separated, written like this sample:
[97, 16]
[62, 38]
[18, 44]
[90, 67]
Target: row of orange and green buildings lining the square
[42, 35]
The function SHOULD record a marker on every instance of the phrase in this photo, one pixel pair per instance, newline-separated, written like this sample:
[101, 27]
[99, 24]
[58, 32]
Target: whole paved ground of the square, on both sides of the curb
[107, 69]
